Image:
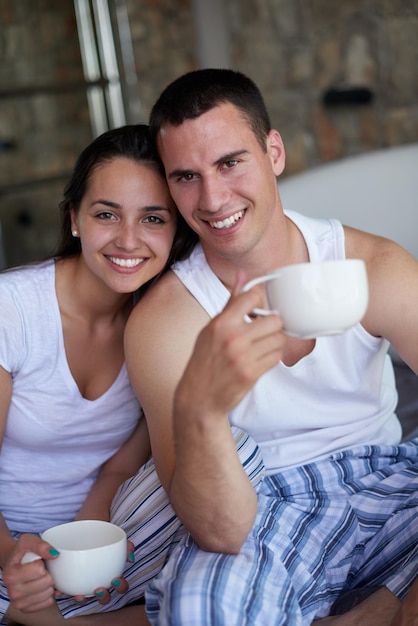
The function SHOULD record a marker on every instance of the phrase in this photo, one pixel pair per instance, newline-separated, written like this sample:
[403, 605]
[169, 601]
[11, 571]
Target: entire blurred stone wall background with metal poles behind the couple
[340, 80]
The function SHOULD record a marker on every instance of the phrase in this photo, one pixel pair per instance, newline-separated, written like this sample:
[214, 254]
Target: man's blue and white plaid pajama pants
[343, 523]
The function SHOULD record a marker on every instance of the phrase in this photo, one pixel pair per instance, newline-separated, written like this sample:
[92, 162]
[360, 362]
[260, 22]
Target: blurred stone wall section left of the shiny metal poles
[44, 121]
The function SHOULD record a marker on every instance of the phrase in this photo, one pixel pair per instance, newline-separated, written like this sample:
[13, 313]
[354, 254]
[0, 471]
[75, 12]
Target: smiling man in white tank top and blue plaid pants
[336, 510]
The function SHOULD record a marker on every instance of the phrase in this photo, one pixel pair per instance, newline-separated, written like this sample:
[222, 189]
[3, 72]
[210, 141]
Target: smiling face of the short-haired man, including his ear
[222, 181]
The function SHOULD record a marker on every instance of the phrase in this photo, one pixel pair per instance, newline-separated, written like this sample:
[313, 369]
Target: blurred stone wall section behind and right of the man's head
[299, 49]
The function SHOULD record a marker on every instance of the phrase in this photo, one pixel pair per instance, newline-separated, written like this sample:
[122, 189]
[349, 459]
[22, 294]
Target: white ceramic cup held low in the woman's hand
[92, 554]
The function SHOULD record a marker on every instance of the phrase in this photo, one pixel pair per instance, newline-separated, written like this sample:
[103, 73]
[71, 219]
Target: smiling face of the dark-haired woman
[126, 222]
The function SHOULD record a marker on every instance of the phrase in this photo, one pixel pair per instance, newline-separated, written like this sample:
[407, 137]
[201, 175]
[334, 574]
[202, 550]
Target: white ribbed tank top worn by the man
[341, 395]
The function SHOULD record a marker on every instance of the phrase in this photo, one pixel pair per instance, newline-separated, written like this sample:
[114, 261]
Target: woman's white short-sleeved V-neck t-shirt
[55, 440]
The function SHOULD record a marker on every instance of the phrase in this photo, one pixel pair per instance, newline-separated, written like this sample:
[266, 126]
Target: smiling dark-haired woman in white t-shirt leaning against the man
[70, 425]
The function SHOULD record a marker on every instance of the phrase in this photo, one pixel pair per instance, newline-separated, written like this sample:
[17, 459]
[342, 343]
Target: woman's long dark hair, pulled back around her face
[131, 142]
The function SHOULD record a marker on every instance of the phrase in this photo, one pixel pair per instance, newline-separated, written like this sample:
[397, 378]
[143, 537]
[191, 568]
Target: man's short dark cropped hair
[197, 92]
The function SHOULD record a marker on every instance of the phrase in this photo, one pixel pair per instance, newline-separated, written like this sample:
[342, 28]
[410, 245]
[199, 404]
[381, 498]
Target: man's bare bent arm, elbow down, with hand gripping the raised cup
[192, 444]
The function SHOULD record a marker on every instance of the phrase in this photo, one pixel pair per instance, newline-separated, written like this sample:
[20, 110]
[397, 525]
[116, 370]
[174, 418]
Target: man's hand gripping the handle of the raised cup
[230, 355]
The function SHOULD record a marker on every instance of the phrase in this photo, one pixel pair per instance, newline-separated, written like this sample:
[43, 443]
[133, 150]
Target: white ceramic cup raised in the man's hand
[316, 299]
